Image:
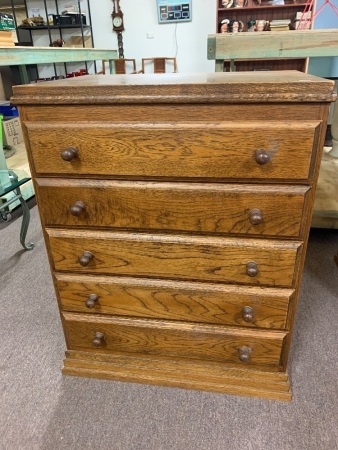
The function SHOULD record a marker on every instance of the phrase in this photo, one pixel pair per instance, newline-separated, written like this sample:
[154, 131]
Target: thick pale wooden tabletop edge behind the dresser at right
[279, 44]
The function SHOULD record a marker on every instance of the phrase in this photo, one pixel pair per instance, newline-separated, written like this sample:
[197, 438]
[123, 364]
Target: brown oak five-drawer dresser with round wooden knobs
[176, 212]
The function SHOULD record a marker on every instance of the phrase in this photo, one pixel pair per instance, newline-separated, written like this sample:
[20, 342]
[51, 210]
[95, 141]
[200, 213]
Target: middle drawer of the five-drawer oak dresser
[245, 261]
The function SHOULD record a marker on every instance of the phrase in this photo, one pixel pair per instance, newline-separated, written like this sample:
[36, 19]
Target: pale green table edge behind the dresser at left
[45, 55]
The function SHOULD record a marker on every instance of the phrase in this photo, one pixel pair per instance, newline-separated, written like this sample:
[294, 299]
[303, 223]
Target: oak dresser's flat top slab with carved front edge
[285, 86]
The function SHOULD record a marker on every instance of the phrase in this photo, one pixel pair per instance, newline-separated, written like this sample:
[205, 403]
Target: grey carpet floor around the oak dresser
[41, 409]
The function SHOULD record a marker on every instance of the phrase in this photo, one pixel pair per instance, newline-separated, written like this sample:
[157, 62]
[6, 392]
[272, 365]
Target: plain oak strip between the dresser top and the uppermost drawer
[178, 113]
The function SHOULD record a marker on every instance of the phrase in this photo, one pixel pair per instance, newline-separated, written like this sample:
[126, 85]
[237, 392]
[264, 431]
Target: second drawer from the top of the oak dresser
[204, 208]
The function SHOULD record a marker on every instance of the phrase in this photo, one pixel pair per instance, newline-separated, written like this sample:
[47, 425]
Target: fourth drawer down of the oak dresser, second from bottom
[181, 301]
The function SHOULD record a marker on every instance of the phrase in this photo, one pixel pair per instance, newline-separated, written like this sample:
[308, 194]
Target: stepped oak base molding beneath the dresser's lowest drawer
[181, 374]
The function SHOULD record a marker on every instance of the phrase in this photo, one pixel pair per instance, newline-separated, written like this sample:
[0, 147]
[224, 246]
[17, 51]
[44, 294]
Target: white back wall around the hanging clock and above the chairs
[140, 18]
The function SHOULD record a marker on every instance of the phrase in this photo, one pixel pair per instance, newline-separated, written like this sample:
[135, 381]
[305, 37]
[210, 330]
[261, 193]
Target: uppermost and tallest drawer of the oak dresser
[251, 150]
